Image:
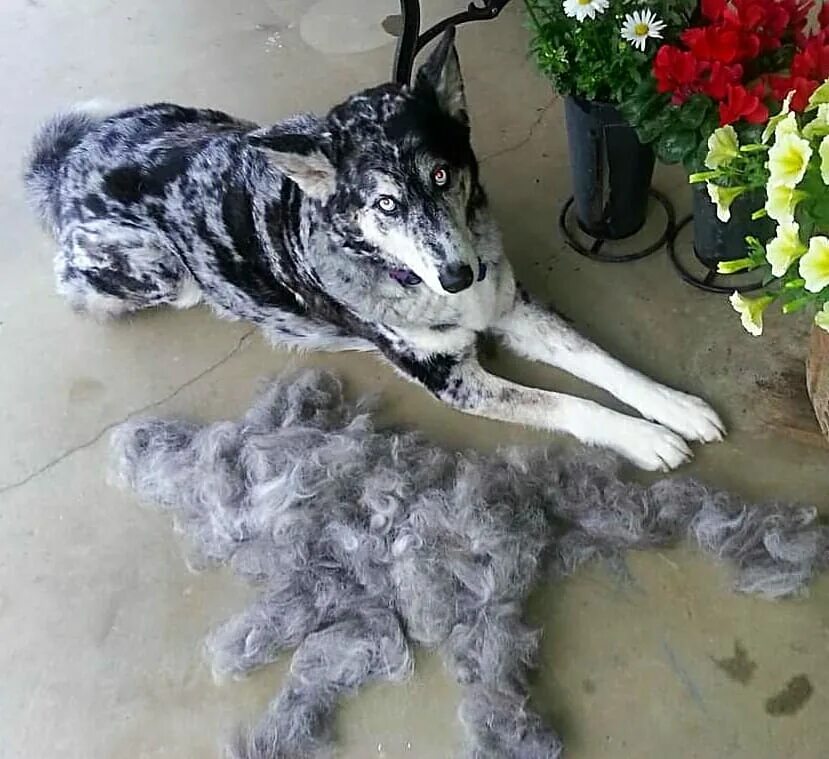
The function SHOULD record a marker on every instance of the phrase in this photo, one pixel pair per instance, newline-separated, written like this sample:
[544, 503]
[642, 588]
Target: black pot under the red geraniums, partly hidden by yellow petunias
[716, 241]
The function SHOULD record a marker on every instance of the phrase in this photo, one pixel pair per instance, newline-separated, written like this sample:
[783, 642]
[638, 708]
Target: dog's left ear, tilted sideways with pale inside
[303, 157]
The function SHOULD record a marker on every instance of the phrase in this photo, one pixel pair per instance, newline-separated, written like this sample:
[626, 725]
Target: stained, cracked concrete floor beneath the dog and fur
[100, 623]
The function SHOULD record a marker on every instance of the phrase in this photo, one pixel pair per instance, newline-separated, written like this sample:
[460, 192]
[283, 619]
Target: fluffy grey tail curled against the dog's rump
[53, 142]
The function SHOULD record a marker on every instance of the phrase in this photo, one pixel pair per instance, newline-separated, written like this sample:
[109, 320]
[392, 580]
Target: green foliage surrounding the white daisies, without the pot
[589, 58]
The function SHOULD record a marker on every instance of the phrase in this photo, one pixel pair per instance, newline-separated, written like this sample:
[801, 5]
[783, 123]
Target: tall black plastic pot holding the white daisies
[611, 170]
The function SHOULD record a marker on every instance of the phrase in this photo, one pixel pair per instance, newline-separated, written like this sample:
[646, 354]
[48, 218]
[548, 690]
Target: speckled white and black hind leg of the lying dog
[108, 270]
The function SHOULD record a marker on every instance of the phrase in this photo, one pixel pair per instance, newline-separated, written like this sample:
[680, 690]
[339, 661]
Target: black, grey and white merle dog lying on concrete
[367, 229]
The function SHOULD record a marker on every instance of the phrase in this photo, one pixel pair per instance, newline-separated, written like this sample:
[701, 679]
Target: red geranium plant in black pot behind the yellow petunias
[735, 60]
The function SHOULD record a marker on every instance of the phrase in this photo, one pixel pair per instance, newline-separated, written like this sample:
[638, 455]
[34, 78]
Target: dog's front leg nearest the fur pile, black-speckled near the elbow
[469, 388]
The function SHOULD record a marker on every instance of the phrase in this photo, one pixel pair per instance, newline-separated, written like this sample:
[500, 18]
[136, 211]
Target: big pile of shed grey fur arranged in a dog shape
[365, 542]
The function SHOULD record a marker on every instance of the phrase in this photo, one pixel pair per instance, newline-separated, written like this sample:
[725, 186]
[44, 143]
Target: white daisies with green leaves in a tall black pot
[596, 52]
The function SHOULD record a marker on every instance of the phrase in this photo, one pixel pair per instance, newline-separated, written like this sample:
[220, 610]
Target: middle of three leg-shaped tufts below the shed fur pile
[369, 645]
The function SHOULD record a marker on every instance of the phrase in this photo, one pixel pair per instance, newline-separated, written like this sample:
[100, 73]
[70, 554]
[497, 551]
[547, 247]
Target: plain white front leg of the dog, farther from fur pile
[533, 332]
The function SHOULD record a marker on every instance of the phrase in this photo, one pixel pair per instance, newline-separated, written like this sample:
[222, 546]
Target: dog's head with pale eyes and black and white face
[394, 171]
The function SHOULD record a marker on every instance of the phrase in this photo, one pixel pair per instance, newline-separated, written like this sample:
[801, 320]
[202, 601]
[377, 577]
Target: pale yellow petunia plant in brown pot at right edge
[788, 169]
